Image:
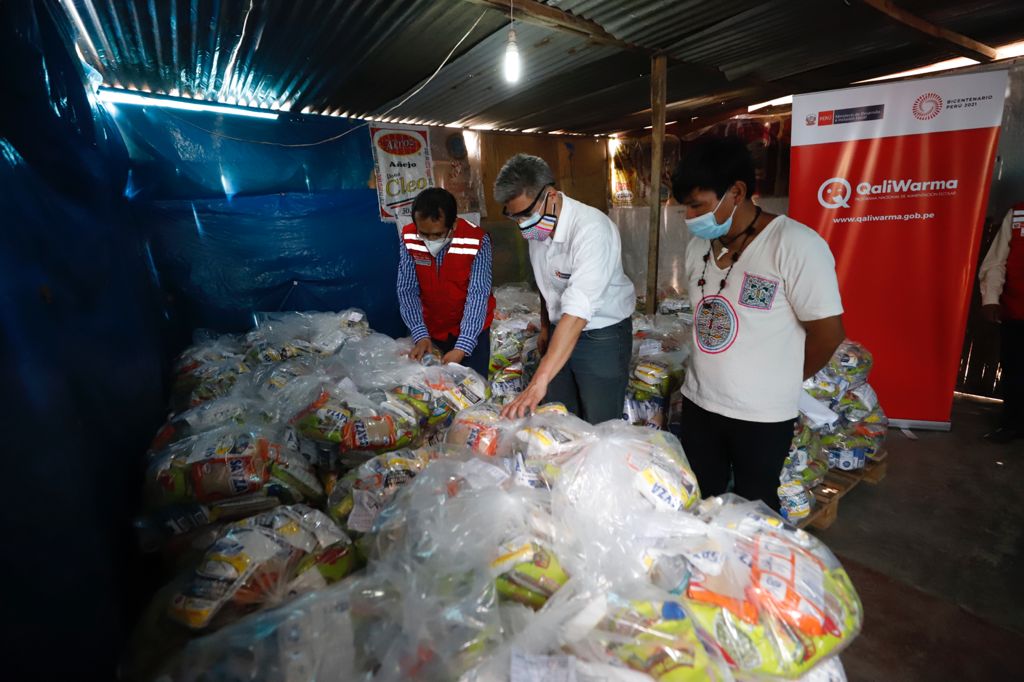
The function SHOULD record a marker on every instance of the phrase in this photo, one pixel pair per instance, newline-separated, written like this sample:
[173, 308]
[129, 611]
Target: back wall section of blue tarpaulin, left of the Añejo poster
[237, 222]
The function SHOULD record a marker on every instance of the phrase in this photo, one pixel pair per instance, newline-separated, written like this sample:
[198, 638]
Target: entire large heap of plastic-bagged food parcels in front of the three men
[454, 544]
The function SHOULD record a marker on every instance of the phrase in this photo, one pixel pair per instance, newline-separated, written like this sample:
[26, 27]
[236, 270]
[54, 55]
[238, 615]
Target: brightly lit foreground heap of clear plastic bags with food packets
[546, 549]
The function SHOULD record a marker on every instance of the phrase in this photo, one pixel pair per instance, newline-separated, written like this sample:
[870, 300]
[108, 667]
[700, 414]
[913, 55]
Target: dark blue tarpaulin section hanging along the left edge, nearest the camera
[81, 330]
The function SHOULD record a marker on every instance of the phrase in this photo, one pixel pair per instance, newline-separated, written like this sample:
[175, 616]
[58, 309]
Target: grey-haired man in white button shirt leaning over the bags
[586, 299]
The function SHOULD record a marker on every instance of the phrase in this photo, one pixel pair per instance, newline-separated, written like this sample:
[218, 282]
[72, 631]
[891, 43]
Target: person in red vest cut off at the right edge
[1002, 277]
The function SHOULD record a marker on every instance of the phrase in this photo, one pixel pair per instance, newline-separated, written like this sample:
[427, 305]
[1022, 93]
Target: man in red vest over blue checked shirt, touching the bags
[445, 282]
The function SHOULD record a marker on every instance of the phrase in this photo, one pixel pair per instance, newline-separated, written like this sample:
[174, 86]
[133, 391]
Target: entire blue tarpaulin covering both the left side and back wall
[122, 231]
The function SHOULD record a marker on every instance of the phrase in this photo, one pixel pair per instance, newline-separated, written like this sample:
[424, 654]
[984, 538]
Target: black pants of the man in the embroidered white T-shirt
[752, 452]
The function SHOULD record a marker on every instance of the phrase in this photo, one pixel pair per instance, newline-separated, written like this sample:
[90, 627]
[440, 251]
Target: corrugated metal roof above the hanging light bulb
[361, 58]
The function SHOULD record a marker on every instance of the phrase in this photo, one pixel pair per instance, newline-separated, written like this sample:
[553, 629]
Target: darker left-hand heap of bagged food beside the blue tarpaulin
[281, 448]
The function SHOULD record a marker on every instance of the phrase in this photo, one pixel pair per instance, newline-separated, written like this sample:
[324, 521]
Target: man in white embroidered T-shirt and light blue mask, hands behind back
[767, 316]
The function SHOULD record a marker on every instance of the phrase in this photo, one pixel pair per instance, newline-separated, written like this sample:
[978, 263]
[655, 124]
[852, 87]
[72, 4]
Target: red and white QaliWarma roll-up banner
[897, 178]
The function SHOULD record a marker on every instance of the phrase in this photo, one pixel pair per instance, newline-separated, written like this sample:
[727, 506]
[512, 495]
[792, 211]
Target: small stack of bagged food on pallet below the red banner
[842, 427]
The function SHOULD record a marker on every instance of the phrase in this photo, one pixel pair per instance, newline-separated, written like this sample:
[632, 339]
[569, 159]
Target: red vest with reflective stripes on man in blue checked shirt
[444, 290]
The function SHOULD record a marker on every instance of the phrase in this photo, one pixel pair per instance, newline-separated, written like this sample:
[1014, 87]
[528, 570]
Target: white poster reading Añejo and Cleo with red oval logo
[404, 168]
